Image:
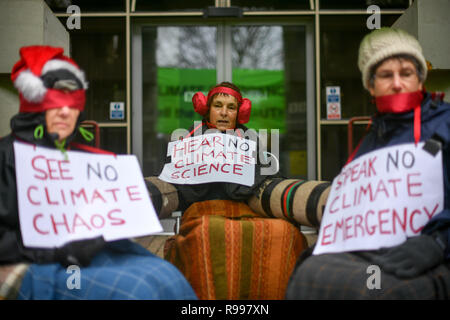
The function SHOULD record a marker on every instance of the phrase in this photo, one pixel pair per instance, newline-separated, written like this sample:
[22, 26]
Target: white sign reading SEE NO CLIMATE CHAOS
[80, 197]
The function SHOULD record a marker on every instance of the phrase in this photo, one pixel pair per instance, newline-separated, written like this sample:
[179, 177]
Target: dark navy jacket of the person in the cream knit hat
[391, 129]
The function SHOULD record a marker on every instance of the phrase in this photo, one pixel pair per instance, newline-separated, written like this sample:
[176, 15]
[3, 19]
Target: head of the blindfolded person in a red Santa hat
[52, 96]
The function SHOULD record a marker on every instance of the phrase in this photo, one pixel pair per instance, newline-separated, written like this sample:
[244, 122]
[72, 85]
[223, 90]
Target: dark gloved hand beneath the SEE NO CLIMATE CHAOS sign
[79, 252]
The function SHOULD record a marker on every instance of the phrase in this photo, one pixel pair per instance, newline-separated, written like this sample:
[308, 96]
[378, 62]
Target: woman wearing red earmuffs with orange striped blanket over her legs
[221, 240]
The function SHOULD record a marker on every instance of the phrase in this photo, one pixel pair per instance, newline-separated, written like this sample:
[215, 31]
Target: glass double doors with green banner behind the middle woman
[272, 64]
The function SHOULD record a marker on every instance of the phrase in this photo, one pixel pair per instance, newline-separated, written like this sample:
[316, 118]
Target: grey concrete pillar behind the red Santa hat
[22, 23]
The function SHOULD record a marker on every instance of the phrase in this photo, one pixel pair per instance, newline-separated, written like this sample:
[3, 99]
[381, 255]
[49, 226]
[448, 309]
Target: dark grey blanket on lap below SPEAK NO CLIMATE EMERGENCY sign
[348, 276]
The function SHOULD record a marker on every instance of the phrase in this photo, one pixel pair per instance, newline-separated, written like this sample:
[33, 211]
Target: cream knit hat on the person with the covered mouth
[384, 43]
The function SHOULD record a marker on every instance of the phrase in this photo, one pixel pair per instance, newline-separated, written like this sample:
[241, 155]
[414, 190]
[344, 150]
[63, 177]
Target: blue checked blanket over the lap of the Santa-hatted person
[122, 270]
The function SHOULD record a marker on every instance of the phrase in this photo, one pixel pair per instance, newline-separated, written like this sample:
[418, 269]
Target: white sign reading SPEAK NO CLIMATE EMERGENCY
[381, 198]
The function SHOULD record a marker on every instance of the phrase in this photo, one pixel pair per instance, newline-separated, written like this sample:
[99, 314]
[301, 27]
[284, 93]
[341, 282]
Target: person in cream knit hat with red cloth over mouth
[393, 71]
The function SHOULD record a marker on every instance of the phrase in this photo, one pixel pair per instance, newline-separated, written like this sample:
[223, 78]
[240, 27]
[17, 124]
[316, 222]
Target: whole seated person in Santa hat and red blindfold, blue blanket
[52, 96]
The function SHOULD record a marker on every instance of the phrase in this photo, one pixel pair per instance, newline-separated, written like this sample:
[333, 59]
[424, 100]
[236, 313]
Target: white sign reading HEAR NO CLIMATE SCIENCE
[211, 158]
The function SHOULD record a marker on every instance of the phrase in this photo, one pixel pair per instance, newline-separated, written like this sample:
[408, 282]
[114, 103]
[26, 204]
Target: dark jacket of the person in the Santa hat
[12, 249]
